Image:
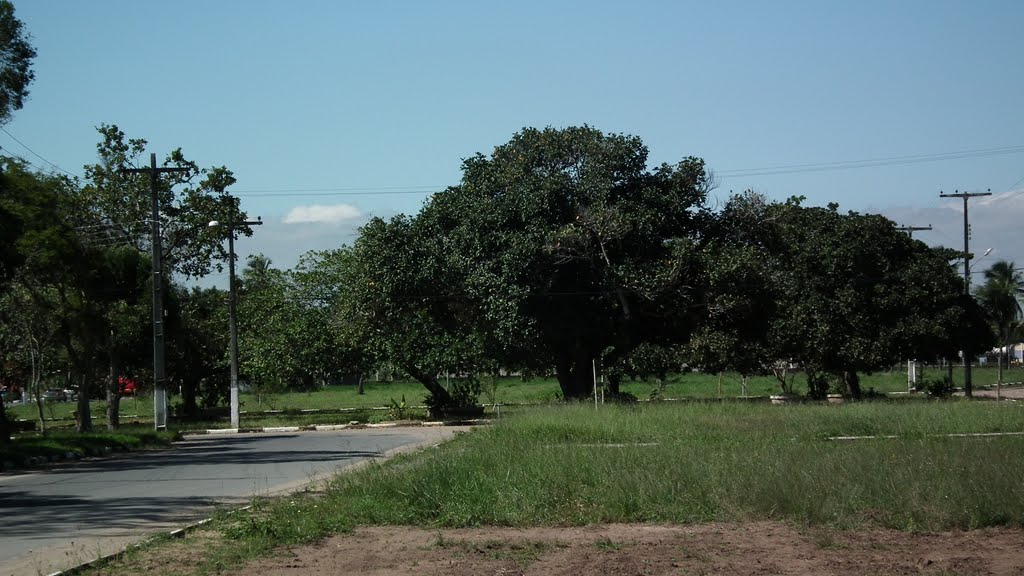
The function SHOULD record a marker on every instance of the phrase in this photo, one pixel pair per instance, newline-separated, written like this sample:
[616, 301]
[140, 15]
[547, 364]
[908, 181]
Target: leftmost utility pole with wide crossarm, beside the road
[159, 375]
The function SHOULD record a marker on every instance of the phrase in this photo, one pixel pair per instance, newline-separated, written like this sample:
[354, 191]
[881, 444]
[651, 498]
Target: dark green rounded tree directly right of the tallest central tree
[851, 294]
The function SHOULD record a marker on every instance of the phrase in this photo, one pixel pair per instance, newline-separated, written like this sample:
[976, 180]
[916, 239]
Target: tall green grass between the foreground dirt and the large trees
[687, 464]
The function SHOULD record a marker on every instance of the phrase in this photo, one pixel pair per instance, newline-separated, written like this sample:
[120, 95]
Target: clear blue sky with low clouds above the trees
[389, 97]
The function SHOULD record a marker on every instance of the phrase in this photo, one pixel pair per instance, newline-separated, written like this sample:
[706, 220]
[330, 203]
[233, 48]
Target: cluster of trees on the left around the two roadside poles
[76, 274]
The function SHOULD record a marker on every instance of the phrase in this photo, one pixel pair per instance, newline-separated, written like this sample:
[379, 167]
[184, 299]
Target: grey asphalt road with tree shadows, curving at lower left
[56, 519]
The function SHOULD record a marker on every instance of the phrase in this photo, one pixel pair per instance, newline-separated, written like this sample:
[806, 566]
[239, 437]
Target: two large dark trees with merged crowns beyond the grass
[563, 250]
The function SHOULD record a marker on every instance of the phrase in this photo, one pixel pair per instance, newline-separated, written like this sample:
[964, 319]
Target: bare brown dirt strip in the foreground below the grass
[748, 549]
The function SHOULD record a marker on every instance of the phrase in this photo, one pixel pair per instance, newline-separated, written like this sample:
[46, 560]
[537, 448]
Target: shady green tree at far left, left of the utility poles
[81, 289]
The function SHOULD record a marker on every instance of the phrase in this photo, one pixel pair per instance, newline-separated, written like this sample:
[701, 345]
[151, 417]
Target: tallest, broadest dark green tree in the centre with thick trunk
[559, 250]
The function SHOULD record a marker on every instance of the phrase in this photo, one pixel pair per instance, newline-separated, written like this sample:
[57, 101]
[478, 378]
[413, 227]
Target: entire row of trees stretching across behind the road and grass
[561, 252]
